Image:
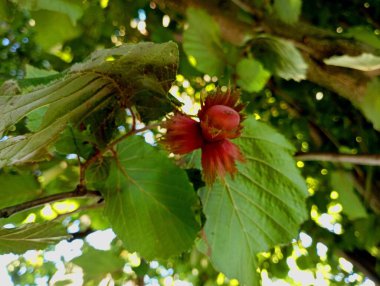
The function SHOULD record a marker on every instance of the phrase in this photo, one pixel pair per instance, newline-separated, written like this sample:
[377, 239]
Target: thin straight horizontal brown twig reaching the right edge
[369, 159]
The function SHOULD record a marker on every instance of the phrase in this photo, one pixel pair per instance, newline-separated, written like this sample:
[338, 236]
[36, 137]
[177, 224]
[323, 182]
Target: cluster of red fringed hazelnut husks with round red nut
[220, 120]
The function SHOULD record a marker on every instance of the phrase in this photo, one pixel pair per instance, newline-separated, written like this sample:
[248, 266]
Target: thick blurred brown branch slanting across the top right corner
[316, 44]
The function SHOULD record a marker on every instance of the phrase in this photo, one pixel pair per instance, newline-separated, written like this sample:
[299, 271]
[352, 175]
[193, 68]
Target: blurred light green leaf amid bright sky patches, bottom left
[96, 264]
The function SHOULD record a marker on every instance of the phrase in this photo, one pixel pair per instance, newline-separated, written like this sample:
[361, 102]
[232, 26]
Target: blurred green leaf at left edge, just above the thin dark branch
[15, 189]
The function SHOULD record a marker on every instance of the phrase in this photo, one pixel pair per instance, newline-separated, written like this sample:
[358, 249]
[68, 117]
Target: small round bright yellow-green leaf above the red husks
[252, 76]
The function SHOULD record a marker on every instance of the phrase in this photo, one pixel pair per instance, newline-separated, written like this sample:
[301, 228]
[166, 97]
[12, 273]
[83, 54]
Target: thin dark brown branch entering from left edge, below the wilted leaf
[77, 193]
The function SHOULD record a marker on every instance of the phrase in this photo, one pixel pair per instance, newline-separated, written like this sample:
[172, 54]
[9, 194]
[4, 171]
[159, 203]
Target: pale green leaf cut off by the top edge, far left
[73, 10]
